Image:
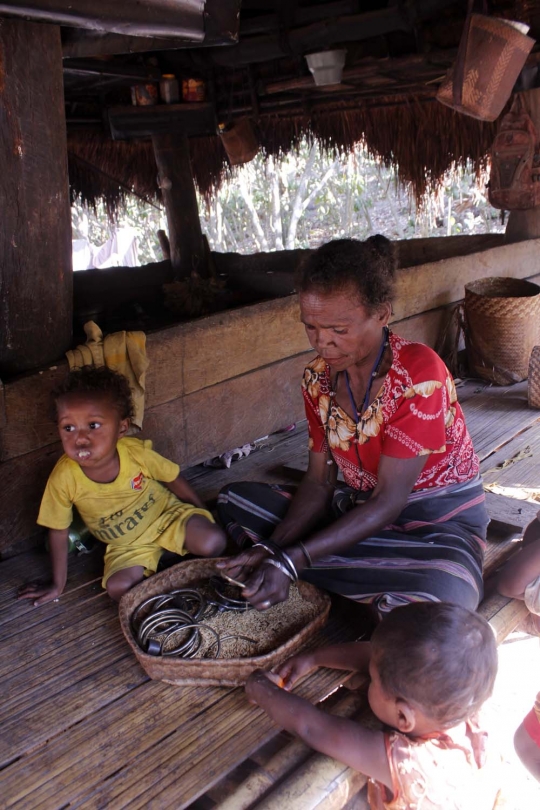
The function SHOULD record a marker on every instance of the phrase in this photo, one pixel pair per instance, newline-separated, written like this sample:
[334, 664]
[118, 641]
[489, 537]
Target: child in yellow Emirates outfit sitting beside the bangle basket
[131, 498]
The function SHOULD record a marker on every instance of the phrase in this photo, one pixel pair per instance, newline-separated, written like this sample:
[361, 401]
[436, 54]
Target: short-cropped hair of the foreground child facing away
[440, 656]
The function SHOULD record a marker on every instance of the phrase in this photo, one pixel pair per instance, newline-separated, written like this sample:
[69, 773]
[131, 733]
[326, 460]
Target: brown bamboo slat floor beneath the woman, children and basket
[84, 727]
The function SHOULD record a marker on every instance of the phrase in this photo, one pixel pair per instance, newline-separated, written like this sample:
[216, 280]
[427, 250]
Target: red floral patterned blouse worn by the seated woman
[415, 413]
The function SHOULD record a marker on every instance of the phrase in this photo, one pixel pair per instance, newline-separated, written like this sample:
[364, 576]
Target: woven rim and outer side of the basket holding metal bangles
[216, 672]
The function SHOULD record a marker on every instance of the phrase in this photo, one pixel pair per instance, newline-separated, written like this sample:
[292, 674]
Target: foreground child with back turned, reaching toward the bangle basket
[431, 667]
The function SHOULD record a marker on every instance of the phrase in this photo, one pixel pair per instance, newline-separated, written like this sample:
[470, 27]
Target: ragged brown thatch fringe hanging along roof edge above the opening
[421, 140]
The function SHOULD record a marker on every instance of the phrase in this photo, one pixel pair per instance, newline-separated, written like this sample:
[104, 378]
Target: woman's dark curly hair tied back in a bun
[368, 267]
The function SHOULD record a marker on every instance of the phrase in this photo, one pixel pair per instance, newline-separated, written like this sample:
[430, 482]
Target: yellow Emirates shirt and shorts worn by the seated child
[135, 515]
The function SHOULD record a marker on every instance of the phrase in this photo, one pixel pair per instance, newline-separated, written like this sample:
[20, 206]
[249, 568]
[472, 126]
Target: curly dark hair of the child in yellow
[101, 382]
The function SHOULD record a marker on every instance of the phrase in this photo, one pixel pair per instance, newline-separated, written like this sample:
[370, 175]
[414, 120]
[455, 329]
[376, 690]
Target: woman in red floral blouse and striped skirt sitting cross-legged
[410, 522]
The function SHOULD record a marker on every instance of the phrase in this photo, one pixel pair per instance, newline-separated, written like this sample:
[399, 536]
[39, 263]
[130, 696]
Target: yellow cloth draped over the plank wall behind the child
[124, 352]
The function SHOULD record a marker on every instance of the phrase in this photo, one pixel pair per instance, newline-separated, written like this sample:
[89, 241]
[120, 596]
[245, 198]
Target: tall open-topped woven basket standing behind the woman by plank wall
[502, 325]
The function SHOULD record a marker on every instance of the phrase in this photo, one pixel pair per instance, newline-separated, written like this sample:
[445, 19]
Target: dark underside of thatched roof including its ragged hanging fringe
[386, 99]
